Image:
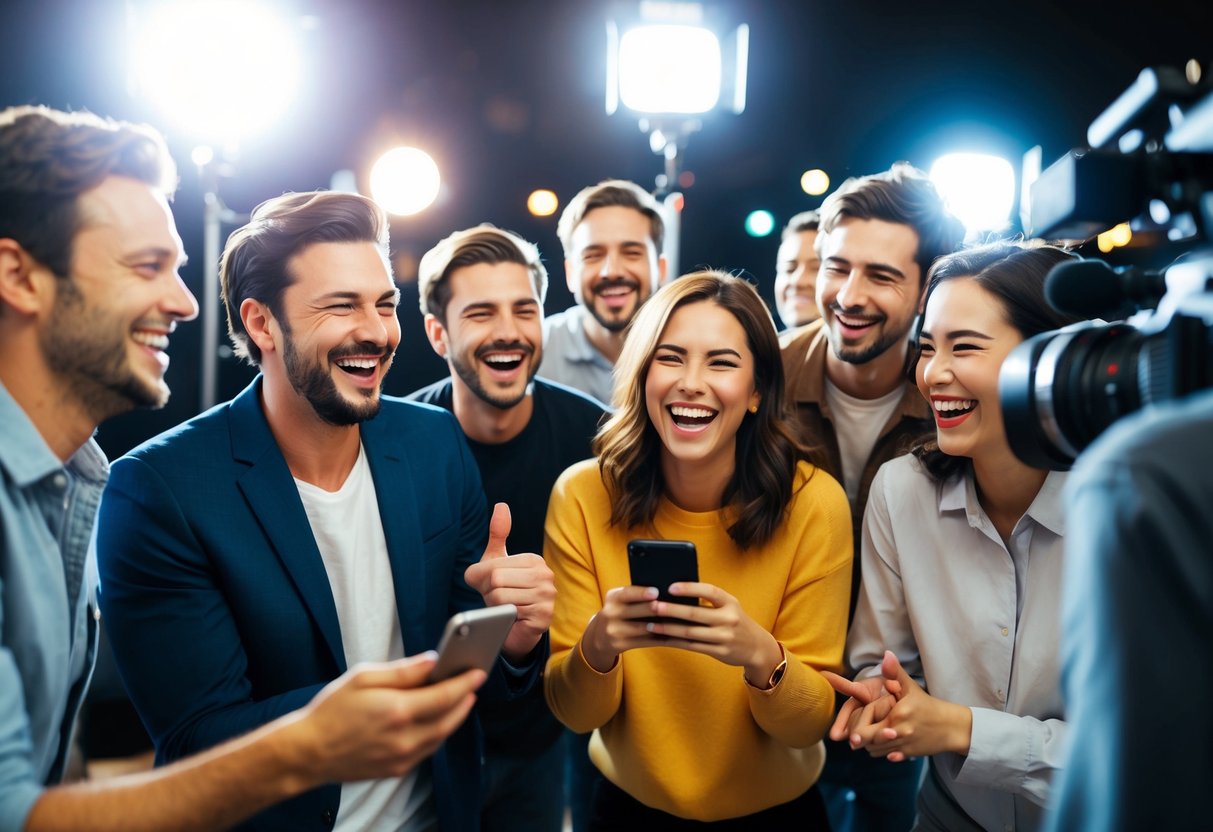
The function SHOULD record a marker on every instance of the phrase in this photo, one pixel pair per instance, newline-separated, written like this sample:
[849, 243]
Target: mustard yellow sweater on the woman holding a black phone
[679, 731]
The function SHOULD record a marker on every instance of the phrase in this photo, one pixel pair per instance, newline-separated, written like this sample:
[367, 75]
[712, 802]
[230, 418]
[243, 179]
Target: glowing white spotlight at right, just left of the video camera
[978, 189]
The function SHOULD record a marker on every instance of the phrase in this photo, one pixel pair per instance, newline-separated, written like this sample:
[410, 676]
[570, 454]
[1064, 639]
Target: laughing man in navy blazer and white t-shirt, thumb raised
[252, 555]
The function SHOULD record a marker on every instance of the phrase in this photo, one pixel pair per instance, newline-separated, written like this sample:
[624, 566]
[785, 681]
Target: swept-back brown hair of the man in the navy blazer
[257, 257]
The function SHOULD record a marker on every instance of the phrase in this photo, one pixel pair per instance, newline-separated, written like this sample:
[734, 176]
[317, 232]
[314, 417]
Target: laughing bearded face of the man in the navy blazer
[340, 330]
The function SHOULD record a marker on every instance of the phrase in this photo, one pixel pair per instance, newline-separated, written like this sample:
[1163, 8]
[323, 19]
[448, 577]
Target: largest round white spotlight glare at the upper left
[220, 70]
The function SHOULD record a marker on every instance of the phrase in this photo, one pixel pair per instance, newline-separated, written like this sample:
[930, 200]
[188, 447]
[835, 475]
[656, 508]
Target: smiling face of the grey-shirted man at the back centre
[614, 265]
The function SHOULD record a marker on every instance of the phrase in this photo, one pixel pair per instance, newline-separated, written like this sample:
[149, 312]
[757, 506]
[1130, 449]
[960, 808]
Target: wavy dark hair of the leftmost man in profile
[50, 158]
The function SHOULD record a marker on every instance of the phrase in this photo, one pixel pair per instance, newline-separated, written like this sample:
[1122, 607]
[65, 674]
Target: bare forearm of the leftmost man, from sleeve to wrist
[210, 791]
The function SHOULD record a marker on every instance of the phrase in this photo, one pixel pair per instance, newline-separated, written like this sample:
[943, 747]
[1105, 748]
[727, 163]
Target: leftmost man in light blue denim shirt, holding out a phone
[90, 293]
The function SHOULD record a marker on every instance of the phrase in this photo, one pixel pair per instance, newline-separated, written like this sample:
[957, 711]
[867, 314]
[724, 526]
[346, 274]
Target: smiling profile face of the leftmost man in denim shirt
[109, 330]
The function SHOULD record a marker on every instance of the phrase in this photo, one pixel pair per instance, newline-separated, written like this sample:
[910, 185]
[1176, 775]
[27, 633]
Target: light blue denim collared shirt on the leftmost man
[48, 632]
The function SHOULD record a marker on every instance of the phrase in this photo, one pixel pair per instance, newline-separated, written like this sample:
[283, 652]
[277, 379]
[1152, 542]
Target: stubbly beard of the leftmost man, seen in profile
[88, 349]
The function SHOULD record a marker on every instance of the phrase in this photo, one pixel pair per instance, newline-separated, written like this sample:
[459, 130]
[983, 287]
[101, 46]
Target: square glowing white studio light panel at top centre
[670, 70]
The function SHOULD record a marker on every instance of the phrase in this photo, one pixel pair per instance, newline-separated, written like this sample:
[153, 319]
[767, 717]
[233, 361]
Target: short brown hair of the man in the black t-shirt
[483, 244]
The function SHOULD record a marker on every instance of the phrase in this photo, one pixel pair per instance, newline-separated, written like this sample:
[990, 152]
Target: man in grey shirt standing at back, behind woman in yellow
[612, 236]
